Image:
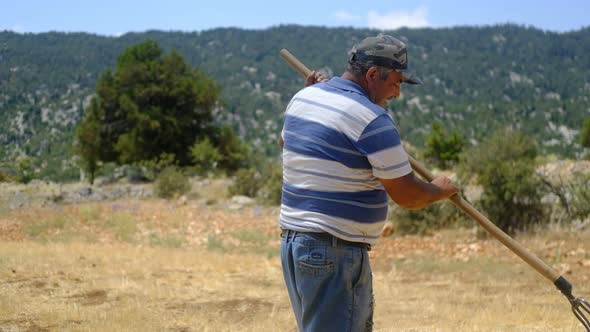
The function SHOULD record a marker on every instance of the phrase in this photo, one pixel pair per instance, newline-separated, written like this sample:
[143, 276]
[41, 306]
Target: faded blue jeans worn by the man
[329, 283]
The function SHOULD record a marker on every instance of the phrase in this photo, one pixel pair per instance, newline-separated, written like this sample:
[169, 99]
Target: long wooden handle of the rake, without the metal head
[482, 220]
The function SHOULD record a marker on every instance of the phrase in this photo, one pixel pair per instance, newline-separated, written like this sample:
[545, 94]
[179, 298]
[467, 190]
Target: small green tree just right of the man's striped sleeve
[441, 148]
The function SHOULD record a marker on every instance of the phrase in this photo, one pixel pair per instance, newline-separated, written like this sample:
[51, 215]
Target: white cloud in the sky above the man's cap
[394, 20]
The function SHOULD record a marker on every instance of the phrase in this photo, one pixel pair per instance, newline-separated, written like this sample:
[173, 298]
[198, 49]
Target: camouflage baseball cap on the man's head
[384, 51]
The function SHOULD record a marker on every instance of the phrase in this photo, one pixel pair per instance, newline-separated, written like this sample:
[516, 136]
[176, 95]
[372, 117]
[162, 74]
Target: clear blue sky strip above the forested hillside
[115, 17]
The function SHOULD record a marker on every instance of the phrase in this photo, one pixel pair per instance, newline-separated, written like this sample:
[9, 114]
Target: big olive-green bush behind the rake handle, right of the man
[504, 166]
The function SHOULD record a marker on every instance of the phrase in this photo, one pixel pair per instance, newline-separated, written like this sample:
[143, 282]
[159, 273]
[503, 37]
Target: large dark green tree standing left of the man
[151, 104]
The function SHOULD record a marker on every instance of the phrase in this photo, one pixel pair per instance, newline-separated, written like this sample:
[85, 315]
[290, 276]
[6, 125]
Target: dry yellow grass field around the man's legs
[201, 265]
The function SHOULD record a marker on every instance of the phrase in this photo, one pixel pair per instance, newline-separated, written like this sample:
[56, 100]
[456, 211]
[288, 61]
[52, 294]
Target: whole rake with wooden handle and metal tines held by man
[579, 306]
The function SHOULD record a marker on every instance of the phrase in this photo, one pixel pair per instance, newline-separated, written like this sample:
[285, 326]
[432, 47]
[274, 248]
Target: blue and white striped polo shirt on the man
[337, 146]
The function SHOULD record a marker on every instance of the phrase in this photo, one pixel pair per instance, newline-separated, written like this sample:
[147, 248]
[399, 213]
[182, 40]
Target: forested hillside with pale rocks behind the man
[477, 79]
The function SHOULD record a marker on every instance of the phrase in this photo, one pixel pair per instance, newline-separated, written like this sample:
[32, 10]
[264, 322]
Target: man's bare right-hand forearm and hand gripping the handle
[412, 193]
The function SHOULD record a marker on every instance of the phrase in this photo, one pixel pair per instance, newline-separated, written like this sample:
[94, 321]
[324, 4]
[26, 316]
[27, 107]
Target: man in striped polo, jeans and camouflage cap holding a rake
[342, 156]
